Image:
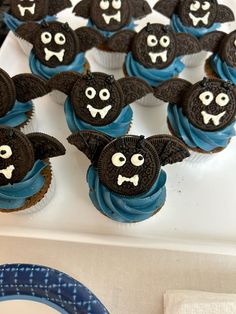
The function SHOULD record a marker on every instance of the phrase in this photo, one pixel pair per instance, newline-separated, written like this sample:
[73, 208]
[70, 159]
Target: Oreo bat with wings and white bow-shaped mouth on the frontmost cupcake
[129, 165]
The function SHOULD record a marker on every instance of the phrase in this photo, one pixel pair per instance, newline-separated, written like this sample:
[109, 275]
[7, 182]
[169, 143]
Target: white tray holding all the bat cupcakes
[200, 211]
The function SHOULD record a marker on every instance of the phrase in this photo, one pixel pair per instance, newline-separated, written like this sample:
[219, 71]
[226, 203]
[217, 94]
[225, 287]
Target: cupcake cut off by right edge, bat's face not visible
[222, 63]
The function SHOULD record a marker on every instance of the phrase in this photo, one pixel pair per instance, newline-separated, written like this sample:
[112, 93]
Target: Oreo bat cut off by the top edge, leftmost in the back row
[36, 10]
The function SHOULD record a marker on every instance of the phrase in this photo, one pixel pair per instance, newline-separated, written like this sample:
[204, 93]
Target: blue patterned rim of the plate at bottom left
[48, 286]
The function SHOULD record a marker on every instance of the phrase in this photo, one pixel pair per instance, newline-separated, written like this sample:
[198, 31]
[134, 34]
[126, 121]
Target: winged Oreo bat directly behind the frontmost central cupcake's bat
[97, 98]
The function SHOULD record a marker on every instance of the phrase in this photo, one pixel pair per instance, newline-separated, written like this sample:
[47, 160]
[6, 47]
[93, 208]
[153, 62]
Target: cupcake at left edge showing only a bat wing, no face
[17, 109]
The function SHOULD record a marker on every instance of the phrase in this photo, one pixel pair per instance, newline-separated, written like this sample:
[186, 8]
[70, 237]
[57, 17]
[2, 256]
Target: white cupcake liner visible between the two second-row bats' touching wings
[109, 60]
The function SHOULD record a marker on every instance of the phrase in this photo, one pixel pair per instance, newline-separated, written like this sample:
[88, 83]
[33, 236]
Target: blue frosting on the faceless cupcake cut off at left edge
[17, 115]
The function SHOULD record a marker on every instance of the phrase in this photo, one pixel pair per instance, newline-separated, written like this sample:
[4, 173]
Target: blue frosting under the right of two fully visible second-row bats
[151, 75]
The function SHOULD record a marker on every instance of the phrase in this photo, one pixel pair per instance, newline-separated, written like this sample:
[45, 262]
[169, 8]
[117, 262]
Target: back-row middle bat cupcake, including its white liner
[109, 17]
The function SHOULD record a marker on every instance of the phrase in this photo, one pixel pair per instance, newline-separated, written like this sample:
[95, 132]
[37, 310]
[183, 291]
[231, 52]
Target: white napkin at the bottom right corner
[198, 302]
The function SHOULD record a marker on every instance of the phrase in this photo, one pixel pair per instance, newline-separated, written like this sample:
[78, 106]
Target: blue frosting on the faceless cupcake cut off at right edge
[225, 71]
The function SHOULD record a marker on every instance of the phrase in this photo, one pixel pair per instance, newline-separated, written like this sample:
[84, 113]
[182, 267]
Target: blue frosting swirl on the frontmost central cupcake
[126, 208]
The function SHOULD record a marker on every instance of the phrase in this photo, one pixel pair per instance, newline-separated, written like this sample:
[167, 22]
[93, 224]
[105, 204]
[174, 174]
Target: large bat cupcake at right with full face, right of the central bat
[201, 115]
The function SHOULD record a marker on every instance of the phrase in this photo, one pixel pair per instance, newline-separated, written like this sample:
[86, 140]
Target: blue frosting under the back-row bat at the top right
[178, 26]
